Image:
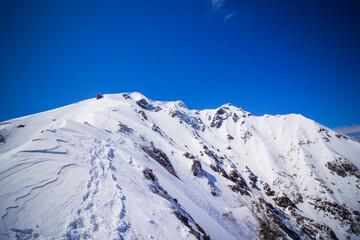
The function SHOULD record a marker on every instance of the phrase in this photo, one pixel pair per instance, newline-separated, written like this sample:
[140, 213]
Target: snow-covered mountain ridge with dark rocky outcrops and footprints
[126, 167]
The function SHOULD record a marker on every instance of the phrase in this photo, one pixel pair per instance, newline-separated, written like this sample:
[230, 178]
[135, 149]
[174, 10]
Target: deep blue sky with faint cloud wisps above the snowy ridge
[268, 57]
